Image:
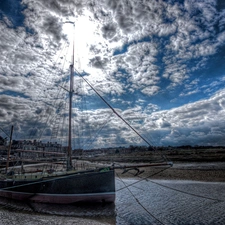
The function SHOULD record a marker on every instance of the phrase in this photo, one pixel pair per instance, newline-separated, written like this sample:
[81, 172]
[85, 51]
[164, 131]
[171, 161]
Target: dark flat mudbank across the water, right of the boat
[188, 164]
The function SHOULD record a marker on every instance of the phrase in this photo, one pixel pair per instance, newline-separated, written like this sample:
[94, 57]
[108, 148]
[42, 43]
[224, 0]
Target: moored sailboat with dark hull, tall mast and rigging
[70, 186]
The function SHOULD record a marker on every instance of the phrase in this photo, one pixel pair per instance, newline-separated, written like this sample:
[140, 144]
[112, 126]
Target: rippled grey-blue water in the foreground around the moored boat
[137, 202]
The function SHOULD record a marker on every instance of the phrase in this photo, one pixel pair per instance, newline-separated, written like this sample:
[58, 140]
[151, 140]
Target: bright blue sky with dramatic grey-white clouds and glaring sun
[159, 63]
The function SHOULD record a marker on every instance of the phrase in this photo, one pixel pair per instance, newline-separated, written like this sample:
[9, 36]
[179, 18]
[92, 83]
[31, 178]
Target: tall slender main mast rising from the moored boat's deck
[69, 152]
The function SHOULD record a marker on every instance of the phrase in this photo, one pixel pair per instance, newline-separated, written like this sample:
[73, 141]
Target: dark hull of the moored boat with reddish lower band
[89, 186]
